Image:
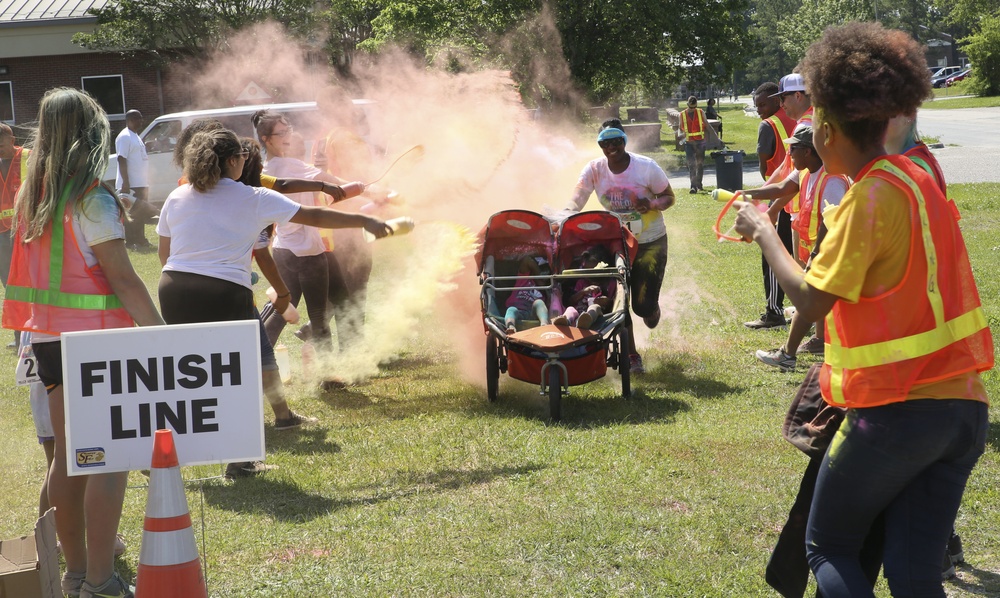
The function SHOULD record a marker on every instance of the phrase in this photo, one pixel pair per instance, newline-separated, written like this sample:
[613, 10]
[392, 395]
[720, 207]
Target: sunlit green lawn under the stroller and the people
[415, 485]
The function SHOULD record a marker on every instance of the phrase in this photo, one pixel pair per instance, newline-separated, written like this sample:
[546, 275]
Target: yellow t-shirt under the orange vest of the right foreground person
[865, 254]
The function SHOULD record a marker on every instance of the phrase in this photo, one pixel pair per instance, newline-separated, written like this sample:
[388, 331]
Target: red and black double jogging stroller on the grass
[554, 356]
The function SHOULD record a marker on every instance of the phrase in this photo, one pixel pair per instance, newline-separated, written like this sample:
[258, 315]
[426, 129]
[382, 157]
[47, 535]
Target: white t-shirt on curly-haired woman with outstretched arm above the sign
[213, 233]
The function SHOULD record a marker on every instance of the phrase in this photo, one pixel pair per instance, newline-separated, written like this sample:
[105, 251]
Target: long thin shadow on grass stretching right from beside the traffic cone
[288, 502]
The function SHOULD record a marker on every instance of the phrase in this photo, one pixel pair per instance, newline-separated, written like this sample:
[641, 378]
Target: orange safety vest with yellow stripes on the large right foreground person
[929, 328]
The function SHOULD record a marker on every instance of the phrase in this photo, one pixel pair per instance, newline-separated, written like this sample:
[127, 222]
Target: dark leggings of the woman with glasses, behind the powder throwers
[306, 277]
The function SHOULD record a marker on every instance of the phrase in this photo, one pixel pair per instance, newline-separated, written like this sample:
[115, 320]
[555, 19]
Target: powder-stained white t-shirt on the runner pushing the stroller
[618, 193]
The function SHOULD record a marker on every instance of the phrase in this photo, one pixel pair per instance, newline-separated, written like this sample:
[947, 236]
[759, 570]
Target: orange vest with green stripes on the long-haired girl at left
[52, 290]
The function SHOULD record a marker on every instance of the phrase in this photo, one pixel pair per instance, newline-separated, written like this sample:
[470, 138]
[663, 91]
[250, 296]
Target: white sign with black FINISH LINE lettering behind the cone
[202, 381]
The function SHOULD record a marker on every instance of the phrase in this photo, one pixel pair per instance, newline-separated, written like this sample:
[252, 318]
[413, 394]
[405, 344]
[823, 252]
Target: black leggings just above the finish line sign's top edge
[187, 298]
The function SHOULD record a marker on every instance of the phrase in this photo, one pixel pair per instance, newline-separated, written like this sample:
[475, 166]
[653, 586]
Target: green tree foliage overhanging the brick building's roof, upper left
[165, 28]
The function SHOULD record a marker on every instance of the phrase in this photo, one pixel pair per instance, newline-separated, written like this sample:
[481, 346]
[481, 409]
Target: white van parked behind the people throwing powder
[160, 137]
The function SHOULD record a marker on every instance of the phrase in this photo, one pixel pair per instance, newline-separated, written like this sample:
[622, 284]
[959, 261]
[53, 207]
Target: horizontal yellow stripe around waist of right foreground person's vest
[910, 347]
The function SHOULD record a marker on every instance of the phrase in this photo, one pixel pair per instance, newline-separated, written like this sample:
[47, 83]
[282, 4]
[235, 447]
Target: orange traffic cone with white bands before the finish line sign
[169, 566]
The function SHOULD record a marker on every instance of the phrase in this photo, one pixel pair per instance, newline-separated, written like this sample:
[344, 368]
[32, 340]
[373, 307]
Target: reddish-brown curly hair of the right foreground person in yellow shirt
[860, 75]
